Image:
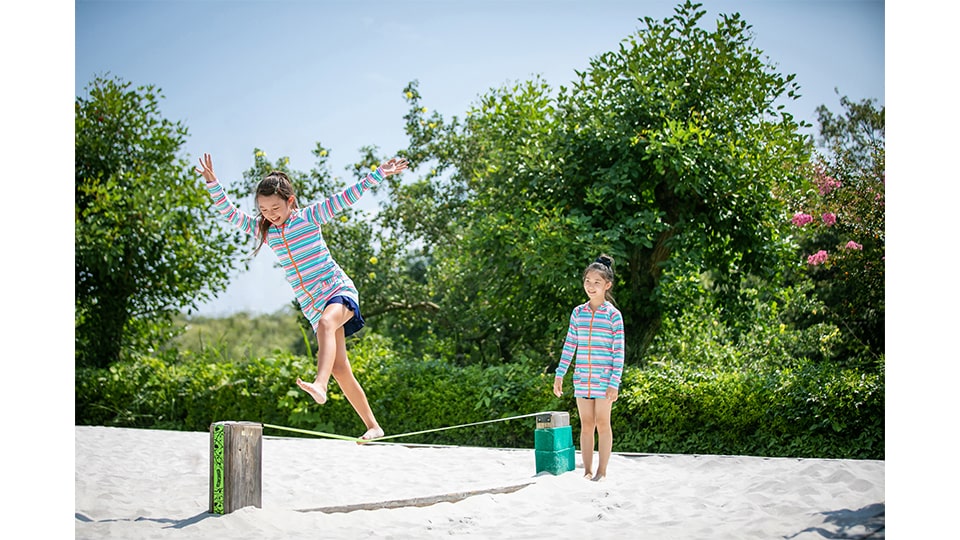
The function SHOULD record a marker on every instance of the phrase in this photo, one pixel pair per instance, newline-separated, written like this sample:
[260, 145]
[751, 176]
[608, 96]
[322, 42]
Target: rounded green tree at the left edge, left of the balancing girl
[145, 245]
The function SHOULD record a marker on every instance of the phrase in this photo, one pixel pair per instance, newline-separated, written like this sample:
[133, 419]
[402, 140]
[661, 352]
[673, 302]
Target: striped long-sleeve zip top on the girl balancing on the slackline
[299, 245]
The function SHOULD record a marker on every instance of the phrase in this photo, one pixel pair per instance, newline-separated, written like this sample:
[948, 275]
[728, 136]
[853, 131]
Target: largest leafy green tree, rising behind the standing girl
[664, 153]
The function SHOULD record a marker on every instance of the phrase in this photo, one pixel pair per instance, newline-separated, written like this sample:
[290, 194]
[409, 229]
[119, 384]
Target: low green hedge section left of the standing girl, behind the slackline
[194, 392]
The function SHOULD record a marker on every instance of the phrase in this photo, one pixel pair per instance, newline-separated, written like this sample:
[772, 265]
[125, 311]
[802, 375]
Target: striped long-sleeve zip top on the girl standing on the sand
[596, 337]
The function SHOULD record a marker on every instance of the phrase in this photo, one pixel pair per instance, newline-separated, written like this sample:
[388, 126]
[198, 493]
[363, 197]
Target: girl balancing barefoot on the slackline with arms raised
[327, 296]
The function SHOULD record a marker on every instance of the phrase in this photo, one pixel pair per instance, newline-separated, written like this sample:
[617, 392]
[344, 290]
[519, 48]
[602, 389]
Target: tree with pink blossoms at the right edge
[841, 221]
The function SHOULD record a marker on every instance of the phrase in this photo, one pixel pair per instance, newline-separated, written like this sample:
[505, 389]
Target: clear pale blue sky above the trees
[281, 76]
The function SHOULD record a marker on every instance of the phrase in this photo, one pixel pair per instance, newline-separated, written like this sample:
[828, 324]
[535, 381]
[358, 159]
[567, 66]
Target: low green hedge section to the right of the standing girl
[812, 411]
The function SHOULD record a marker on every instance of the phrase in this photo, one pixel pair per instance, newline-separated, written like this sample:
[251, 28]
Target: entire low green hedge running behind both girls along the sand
[807, 410]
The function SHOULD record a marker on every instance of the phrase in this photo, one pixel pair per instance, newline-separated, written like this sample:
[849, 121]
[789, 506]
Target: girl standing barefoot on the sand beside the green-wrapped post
[596, 334]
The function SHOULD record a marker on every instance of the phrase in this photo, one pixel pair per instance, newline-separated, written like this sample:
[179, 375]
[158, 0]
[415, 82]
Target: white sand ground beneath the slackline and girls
[137, 484]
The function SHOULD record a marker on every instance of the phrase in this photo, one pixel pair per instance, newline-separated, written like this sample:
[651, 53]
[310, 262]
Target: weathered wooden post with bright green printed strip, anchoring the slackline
[235, 465]
